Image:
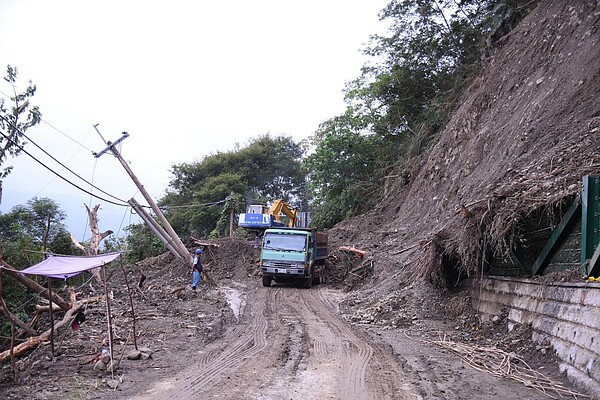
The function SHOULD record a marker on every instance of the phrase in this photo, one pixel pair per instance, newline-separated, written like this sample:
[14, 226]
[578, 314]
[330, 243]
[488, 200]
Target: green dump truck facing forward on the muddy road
[293, 255]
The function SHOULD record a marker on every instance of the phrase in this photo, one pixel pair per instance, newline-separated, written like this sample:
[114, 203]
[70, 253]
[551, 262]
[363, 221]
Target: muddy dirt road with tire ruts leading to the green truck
[289, 343]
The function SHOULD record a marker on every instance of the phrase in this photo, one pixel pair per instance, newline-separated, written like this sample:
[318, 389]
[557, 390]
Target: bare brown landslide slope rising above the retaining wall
[522, 140]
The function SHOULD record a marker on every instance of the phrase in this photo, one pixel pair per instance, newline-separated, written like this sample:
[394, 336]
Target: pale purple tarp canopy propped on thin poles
[64, 267]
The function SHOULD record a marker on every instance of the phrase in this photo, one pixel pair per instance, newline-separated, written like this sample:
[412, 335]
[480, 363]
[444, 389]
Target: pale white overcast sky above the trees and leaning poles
[184, 78]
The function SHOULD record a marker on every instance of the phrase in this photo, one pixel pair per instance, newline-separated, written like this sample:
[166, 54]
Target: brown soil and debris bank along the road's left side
[169, 318]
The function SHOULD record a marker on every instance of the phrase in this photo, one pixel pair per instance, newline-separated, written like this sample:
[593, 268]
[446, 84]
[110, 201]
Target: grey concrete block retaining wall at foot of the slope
[567, 316]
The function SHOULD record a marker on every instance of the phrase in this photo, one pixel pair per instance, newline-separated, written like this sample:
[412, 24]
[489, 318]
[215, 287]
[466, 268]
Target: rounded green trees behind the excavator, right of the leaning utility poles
[267, 168]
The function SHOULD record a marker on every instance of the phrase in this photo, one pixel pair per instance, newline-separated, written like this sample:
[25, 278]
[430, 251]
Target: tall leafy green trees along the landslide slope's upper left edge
[402, 99]
